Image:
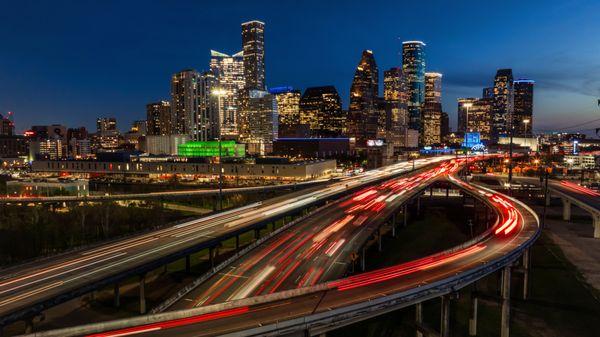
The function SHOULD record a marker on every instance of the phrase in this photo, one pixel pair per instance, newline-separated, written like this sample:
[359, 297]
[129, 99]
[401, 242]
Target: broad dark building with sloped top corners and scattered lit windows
[321, 110]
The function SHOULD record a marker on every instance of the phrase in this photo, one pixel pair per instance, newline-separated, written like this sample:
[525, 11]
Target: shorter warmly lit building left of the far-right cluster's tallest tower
[475, 115]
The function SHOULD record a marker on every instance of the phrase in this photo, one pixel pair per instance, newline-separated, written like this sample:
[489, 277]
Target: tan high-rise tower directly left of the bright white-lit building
[184, 102]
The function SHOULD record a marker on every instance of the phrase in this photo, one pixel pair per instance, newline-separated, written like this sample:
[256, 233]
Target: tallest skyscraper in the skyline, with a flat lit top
[253, 44]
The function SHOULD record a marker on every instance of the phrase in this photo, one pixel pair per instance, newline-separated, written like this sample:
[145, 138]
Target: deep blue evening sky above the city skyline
[72, 61]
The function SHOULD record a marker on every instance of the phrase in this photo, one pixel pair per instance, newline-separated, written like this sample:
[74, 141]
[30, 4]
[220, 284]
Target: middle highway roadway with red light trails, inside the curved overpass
[315, 250]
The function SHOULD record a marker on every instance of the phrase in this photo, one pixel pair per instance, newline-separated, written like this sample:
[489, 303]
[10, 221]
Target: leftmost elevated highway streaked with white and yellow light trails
[30, 288]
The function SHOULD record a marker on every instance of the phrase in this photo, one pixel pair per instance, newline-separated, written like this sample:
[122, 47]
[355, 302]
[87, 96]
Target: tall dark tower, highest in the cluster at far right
[503, 103]
